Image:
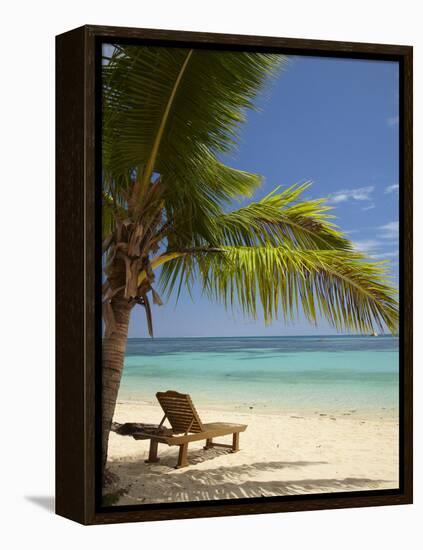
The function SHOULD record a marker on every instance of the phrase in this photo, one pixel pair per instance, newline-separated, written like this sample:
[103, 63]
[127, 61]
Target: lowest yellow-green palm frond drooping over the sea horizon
[351, 292]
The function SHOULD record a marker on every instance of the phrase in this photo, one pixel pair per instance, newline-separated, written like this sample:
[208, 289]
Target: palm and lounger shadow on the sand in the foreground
[161, 483]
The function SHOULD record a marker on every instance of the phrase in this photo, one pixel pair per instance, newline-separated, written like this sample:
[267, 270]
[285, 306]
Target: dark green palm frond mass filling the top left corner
[170, 111]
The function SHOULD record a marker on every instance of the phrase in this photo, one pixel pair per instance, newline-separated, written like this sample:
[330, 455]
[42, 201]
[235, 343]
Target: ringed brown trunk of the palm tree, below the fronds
[112, 366]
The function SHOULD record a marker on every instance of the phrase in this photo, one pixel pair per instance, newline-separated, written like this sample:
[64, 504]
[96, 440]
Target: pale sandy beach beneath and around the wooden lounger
[281, 454]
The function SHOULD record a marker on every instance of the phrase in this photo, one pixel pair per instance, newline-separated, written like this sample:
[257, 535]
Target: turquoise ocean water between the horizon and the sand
[267, 373]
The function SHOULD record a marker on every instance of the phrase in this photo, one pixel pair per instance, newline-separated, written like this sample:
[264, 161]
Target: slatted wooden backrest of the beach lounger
[180, 411]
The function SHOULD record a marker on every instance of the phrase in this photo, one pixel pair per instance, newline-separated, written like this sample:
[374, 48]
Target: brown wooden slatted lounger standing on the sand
[186, 427]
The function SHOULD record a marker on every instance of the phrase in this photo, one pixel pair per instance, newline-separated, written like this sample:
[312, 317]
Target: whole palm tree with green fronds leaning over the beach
[167, 115]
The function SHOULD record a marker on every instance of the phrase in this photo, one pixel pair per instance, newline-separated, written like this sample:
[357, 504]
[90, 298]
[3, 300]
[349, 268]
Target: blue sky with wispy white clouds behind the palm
[331, 121]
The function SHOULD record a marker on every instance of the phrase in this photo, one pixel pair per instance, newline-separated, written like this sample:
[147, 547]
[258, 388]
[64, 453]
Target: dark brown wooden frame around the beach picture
[78, 257]
